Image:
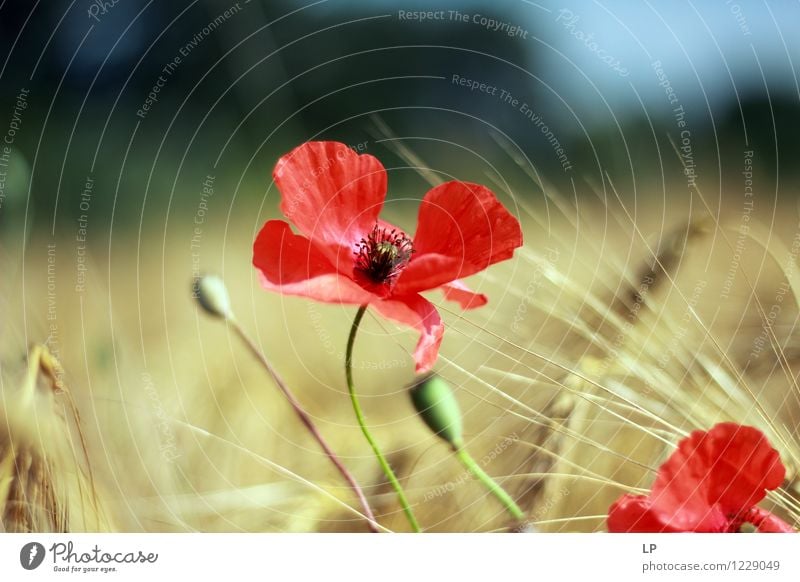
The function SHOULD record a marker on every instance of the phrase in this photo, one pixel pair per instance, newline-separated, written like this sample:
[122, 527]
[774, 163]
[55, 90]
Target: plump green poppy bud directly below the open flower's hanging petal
[438, 407]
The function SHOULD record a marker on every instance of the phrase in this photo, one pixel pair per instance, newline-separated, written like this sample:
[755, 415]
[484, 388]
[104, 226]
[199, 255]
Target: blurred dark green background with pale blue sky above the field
[256, 78]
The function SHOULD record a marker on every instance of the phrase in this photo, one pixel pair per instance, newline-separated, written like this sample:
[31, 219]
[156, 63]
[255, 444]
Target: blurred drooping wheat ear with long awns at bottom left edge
[46, 483]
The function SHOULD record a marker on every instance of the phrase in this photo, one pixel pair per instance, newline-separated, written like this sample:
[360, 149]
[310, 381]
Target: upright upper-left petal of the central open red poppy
[332, 194]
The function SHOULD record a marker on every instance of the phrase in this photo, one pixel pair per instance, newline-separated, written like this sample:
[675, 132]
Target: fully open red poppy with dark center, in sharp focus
[346, 254]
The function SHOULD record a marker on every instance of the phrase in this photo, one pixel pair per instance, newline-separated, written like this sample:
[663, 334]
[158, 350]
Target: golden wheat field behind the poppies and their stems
[613, 332]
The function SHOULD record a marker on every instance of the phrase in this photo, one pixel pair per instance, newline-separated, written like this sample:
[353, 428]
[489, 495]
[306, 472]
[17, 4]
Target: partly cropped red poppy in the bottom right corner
[711, 483]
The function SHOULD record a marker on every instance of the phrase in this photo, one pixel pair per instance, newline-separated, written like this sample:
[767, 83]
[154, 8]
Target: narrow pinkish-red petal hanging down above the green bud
[419, 313]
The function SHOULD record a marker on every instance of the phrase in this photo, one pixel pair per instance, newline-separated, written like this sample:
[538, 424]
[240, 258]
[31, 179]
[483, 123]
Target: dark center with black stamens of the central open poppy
[383, 254]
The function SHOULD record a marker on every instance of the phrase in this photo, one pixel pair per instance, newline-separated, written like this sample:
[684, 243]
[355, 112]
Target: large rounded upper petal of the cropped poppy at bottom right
[724, 471]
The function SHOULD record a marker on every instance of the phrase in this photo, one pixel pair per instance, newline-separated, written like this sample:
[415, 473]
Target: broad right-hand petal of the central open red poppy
[465, 228]
